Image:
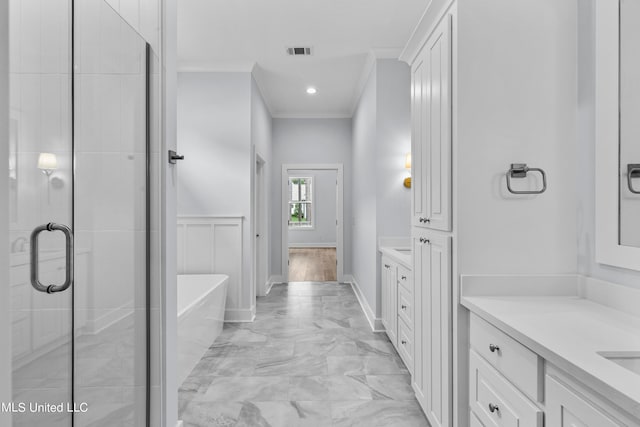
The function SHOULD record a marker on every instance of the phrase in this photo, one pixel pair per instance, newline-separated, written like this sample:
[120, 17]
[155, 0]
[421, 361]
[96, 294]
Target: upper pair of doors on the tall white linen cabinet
[431, 131]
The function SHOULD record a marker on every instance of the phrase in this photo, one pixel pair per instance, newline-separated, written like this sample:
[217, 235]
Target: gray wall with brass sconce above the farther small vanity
[381, 139]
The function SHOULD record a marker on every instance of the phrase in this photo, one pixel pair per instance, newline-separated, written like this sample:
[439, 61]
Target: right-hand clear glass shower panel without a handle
[110, 207]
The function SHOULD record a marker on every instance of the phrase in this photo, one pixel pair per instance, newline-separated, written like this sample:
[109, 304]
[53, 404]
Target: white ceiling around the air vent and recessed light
[233, 35]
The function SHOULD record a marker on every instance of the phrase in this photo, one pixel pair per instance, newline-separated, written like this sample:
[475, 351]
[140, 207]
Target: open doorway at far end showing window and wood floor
[312, 212]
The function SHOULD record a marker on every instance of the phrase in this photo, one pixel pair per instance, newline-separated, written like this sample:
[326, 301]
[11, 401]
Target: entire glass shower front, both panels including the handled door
[79, 204]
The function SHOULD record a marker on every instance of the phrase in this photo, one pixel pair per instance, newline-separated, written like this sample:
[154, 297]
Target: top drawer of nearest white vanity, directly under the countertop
[520, 365]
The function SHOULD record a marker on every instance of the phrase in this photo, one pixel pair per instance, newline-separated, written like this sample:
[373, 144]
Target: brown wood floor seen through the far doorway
[312, 265]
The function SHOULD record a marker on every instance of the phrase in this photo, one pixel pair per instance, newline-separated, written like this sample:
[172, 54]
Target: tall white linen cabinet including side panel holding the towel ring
[493, 83]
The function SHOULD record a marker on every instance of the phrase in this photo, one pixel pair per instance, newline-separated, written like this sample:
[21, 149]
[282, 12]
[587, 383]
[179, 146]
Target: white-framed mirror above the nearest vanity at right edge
[617, 132]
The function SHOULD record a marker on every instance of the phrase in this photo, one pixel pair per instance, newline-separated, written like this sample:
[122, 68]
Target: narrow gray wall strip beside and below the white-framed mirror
[586, 156]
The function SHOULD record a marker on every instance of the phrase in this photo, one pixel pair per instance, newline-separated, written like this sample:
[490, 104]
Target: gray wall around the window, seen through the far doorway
[323, 233]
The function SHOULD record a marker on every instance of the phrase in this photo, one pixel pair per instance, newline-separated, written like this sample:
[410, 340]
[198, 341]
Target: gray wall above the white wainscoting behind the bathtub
[214, 111]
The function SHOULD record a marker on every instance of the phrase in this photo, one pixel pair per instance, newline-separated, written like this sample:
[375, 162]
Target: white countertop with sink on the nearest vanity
[569, 332]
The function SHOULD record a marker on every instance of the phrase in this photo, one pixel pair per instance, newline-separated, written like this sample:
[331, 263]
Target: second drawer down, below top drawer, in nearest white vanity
[495, 401]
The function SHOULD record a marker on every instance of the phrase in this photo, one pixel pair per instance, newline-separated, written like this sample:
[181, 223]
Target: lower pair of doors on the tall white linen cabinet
[433, 342]
